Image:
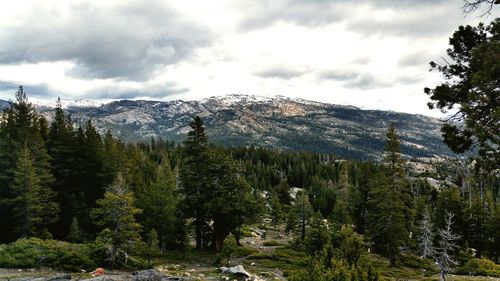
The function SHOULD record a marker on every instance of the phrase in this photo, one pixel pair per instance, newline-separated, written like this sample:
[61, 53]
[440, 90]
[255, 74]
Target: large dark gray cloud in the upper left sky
[127, 41]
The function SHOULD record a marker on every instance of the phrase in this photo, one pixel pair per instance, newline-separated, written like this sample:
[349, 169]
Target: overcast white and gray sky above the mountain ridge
[370, 54]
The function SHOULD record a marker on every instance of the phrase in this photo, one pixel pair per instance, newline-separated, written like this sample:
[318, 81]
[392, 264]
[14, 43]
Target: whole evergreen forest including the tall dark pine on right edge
[74, 198]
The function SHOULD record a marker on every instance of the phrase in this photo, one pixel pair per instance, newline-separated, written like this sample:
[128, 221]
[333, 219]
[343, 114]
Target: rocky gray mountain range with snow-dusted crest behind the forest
[278, 122]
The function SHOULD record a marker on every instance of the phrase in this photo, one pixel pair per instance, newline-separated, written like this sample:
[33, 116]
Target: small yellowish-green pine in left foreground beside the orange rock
[116, 211]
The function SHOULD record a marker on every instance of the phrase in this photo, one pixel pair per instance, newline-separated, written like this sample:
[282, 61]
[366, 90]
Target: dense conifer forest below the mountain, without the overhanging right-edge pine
[118, 204]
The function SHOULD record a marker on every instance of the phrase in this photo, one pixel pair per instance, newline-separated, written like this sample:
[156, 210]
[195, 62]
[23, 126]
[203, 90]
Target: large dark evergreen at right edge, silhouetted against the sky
[471, 87]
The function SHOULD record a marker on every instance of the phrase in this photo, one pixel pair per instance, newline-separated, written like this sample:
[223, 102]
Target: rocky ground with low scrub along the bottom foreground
[263, 258]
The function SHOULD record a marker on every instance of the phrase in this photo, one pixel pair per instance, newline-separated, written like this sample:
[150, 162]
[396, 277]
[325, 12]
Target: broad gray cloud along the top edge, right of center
[412, 17]
